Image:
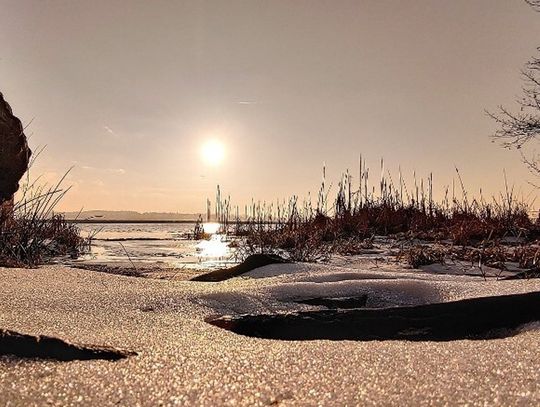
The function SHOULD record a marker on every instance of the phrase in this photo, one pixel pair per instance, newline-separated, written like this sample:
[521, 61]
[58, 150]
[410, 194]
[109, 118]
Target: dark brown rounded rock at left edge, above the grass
[14, 154]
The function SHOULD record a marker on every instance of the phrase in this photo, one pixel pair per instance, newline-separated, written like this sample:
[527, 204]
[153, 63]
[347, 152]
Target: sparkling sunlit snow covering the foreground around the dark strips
[183, 360]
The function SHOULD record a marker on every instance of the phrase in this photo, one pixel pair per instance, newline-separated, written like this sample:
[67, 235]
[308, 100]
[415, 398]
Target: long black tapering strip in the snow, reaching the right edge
[475, 318]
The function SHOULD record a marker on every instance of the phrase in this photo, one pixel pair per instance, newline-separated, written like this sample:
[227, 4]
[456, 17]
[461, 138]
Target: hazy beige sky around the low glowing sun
[128, 92]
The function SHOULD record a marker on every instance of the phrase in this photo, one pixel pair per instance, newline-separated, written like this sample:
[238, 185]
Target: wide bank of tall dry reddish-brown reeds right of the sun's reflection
[345, 224]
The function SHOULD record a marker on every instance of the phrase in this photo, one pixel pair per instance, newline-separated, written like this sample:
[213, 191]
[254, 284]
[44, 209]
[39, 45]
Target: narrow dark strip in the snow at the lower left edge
[46, 347]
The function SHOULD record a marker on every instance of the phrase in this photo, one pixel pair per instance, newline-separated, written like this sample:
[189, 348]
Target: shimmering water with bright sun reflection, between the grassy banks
[160, 244]
